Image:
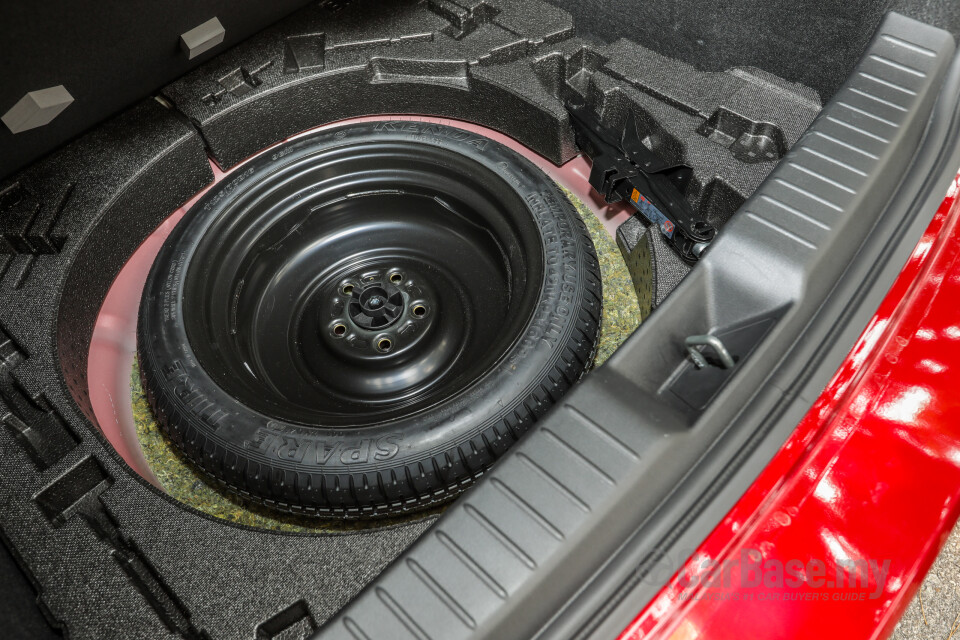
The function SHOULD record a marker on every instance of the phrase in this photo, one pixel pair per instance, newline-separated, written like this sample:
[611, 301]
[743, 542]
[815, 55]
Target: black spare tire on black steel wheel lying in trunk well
[359, 322]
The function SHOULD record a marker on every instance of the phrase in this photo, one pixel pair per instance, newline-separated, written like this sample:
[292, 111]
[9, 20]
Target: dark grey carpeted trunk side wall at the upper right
[813, 42]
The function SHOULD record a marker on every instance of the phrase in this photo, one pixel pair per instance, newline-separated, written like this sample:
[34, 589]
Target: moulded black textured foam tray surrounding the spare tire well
[108, 554]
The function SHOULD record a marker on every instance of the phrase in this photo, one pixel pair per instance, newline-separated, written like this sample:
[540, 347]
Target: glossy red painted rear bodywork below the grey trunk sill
[872, 472]
